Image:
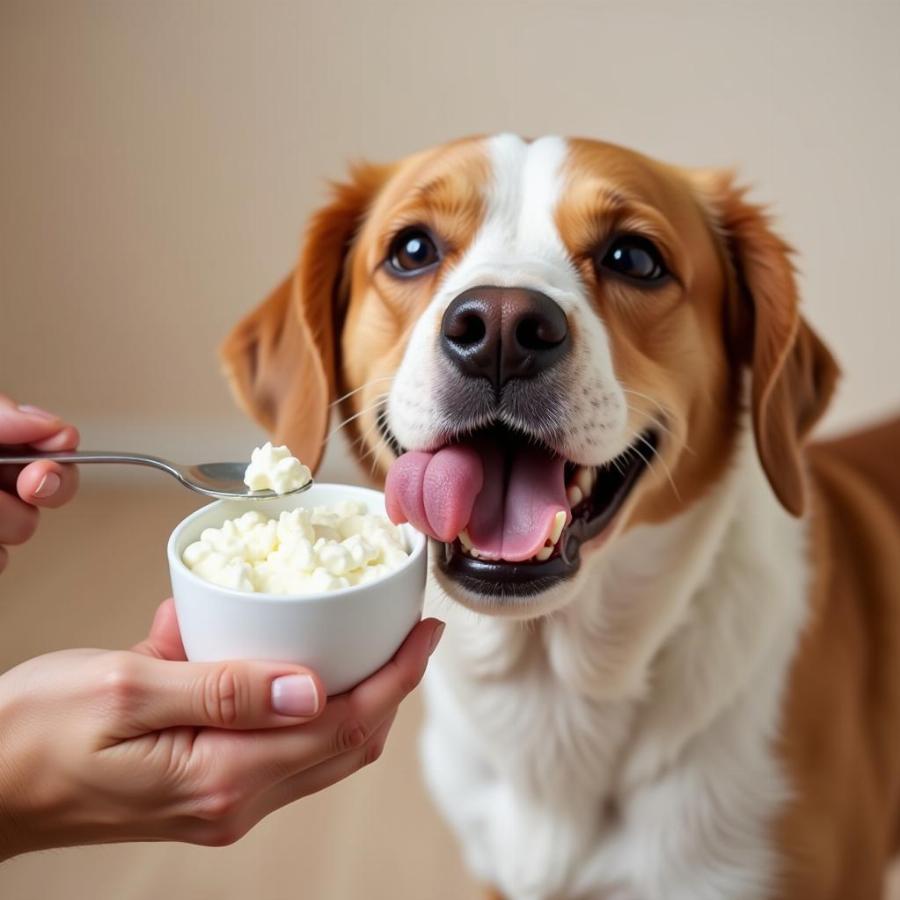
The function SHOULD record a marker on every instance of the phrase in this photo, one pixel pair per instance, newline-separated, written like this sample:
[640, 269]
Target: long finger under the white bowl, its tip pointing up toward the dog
[349, 720]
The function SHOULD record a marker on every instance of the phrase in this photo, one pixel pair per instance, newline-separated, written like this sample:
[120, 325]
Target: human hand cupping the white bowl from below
[99, 746]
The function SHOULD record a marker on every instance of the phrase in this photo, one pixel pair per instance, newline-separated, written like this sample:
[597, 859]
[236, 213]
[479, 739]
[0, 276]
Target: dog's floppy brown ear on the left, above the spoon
[281, 359]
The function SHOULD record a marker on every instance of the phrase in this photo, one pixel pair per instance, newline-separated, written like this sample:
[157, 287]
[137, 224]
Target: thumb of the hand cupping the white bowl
[152, 694]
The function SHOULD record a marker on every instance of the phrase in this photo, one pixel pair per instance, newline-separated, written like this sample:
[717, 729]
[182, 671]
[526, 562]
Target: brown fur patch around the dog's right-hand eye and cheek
[674, 328]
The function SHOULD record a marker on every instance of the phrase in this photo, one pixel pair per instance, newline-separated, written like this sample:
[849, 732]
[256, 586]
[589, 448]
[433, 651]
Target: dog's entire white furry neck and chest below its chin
[623, 749]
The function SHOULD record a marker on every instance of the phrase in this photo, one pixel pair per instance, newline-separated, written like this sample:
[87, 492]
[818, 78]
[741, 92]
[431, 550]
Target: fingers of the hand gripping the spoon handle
[39, 484]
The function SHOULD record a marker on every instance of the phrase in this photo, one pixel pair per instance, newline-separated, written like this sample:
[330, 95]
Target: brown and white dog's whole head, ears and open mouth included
[541, 344]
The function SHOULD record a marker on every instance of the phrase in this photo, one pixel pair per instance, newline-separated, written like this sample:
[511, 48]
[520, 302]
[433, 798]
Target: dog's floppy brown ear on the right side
[793, 373]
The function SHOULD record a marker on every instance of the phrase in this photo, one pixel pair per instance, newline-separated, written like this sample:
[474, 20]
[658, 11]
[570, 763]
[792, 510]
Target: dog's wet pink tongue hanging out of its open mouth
[506, 501]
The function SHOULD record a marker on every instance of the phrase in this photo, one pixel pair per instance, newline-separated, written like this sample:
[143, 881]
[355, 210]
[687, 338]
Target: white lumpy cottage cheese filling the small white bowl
[304, 551]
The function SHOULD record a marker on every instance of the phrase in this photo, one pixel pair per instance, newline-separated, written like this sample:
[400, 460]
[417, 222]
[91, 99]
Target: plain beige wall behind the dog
[158, 160]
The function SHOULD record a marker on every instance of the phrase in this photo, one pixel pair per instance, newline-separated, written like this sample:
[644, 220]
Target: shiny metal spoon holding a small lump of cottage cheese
[225, 480]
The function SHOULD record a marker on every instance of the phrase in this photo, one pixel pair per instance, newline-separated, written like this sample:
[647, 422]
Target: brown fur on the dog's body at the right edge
[841, 736]
